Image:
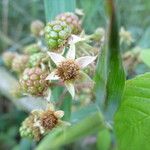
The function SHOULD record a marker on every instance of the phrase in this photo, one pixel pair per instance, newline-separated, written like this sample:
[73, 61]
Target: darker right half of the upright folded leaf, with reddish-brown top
[116, 75]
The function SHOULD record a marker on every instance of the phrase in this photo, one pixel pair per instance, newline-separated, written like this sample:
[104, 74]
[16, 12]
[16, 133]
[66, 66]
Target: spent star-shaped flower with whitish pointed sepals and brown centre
[68, 69]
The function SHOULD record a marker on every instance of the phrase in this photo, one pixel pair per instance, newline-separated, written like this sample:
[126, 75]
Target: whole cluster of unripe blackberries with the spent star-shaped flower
[40, 63]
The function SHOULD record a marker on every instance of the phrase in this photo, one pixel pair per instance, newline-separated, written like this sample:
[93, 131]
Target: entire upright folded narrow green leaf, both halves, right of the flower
[110, 77]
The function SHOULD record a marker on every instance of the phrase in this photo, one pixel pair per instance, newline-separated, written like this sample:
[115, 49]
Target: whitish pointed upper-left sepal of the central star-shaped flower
[57, 58]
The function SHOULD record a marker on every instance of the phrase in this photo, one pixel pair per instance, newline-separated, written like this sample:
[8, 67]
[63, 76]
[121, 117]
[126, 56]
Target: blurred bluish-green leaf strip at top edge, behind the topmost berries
[55, 7]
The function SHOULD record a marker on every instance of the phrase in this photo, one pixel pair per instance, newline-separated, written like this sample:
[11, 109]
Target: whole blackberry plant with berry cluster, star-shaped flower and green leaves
[74, 84]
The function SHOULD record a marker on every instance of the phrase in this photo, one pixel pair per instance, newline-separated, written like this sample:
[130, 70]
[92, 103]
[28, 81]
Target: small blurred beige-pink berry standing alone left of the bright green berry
[36, 27]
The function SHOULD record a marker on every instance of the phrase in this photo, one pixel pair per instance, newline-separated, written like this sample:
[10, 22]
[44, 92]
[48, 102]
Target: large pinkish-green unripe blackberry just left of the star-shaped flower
[33, 81]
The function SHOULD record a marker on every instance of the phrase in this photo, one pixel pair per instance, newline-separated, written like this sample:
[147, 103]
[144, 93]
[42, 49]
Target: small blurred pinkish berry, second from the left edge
[19, 63]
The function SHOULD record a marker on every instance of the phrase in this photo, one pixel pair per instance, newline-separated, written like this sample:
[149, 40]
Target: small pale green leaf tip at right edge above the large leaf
[145, 56]
